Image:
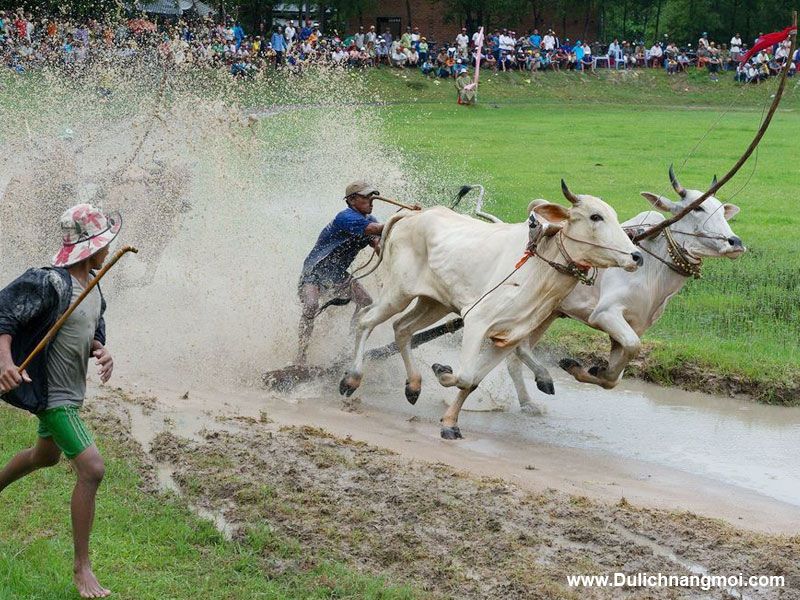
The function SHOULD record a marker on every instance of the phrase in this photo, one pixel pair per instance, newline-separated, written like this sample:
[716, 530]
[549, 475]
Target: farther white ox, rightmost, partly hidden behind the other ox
[626, 305]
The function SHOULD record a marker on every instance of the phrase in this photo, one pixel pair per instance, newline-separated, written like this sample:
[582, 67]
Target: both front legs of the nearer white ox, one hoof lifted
[478, 357]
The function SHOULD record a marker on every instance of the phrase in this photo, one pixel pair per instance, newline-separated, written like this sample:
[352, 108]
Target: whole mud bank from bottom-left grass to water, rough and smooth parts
[473, 520]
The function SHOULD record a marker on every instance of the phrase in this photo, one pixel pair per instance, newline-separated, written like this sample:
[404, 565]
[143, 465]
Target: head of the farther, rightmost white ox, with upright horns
[706, 232]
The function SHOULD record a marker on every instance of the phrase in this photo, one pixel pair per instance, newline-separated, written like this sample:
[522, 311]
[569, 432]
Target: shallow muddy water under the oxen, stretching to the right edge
[728, 440]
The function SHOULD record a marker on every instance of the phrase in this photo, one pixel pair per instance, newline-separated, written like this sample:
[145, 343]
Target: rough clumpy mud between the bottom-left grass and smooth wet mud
[310, 494]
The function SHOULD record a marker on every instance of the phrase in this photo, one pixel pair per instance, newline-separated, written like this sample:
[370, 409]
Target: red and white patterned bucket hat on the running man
[86, 231]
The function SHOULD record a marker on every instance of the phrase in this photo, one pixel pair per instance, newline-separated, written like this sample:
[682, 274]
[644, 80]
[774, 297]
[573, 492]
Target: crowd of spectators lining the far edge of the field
[26, 42]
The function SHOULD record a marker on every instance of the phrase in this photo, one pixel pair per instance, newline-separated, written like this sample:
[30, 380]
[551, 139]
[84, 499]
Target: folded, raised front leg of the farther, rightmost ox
[625, 346]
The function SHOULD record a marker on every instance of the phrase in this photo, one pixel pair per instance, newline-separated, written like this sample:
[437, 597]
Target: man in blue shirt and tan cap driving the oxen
[325, 267]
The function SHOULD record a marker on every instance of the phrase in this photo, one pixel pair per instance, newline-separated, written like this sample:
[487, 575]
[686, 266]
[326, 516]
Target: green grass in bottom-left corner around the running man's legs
[147, 545]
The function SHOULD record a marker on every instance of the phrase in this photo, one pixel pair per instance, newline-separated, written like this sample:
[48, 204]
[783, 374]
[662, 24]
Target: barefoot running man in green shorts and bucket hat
[54, 385]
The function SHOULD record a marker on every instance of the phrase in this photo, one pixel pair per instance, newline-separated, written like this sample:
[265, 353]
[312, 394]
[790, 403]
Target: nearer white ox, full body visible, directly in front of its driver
[453, 263]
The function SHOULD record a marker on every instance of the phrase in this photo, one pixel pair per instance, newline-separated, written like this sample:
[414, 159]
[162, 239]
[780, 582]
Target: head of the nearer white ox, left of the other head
[592, 233]
